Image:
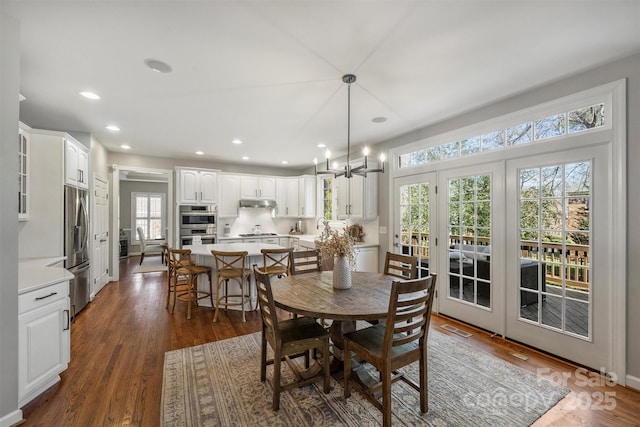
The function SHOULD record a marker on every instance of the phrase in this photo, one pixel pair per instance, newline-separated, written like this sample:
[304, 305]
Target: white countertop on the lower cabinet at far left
[36, 273]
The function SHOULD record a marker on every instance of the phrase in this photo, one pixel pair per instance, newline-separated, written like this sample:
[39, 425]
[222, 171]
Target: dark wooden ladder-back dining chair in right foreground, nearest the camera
[392, 345]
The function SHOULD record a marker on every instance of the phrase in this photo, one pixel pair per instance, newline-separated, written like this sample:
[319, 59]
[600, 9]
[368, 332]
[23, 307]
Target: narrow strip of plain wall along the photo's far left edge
[9, 87]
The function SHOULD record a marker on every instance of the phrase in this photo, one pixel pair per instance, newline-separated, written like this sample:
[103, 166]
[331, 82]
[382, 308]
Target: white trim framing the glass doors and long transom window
[615, 130]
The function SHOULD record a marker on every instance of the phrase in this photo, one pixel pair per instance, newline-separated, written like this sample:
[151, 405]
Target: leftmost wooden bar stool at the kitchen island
[183, 266]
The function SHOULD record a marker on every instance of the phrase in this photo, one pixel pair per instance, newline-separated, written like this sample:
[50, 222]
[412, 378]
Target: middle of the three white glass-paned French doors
[470, 232]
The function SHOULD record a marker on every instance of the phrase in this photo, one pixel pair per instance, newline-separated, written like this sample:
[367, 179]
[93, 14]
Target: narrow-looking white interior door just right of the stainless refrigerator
[100, 235]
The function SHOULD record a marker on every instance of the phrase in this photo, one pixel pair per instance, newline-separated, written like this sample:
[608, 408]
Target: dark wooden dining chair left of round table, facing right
[289, 339]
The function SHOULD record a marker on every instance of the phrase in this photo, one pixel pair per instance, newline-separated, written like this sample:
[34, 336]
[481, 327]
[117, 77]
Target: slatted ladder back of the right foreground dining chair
[409, 311]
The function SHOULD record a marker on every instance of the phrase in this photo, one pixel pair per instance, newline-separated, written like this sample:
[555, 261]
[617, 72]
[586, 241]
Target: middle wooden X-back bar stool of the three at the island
[232, 266]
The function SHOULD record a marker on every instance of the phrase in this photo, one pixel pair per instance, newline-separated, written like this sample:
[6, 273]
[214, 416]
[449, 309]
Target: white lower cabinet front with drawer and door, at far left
[44, 345]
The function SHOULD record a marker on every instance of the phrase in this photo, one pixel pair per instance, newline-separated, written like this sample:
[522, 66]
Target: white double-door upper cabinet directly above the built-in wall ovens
[197, 186]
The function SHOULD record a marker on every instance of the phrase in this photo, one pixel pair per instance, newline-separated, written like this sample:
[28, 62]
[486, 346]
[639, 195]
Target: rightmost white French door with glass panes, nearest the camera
[560, 266]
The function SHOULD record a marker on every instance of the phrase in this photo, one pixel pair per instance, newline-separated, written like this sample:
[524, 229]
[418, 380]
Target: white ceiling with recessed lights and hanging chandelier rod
[270, 72]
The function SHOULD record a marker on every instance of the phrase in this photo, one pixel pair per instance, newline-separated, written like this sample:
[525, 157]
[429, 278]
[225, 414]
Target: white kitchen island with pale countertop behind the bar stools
[202, 256]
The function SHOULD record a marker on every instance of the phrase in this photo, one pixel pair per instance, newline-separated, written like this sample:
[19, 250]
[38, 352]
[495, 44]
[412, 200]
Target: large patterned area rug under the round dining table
[218, 384]
